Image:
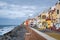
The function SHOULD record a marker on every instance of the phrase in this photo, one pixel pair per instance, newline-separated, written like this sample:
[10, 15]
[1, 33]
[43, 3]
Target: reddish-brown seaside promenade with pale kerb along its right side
[34, 34]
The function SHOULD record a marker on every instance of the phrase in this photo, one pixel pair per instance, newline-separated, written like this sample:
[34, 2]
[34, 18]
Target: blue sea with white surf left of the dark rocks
[6, 28]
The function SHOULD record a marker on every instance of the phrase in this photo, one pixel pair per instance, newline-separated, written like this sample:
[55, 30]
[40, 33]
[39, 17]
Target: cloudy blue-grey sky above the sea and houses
[14, 12]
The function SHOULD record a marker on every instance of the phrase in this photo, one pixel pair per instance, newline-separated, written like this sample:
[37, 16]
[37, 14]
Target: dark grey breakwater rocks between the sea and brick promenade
[16, 34]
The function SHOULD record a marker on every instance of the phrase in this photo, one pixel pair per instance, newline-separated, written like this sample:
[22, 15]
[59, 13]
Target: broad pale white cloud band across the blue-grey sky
[16, 11]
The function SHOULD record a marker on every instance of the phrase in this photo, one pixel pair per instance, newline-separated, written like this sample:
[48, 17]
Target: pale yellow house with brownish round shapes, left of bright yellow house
[42, 20]
